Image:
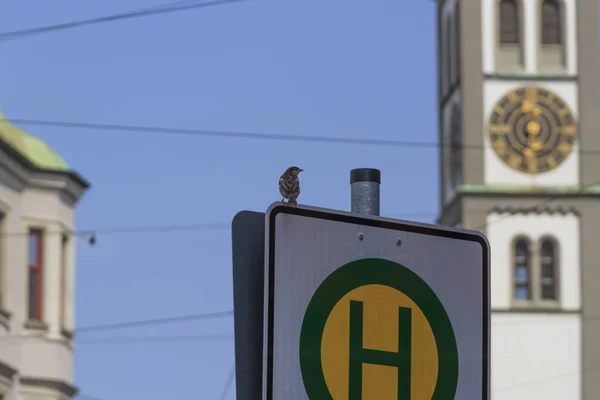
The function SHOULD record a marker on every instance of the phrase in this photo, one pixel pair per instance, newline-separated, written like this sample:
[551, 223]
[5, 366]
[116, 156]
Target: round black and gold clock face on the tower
[532, 130]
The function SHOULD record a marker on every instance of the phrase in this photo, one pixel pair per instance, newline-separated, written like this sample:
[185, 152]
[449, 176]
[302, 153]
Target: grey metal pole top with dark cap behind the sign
[364, 187]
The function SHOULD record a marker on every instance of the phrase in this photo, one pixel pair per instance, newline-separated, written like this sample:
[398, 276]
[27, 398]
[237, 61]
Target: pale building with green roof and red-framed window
[38, 193]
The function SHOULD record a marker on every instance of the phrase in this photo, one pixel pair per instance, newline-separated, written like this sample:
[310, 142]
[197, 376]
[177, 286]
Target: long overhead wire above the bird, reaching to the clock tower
[255, 135]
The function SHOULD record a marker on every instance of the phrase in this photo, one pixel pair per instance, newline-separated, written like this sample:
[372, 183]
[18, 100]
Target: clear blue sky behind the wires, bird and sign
[347, 69]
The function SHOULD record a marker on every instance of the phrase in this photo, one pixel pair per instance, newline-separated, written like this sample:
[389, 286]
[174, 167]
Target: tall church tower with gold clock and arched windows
[518, 109]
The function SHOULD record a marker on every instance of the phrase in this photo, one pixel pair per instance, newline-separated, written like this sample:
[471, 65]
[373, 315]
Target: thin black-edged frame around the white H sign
[376, 222]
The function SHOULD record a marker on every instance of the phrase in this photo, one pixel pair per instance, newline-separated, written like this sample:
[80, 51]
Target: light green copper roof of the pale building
[32, 148]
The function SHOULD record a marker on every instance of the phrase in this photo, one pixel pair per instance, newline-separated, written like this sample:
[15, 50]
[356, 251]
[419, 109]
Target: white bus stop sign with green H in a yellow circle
[369, 308]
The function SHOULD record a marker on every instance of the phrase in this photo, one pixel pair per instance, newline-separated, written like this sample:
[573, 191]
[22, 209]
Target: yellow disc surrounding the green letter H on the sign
[380, 332]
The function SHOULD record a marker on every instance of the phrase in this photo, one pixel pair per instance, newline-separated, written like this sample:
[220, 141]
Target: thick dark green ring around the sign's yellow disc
[373, 271]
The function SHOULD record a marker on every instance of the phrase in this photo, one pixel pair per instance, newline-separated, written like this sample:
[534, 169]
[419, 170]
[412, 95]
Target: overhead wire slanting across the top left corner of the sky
[114, 17]
